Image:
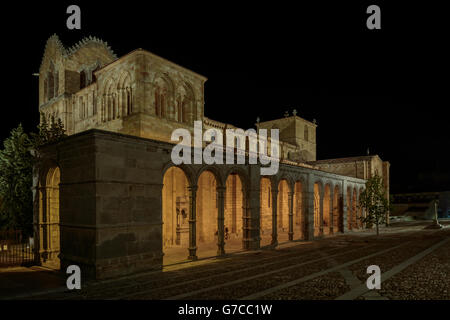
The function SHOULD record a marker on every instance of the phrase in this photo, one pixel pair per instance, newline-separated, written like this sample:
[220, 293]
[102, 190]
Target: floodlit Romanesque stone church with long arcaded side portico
[109, 199]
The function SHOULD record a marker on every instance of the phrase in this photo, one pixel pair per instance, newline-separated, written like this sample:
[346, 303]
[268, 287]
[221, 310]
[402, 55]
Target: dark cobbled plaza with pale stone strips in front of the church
[414, 263]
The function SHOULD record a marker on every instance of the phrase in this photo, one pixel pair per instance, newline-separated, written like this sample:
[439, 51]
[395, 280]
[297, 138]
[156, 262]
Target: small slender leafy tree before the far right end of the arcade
[375, 201]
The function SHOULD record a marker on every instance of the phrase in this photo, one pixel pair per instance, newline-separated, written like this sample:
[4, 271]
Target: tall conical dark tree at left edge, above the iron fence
[16, 163]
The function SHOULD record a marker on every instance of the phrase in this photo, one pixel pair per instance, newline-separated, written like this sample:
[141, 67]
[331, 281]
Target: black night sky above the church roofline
[386, 90]
